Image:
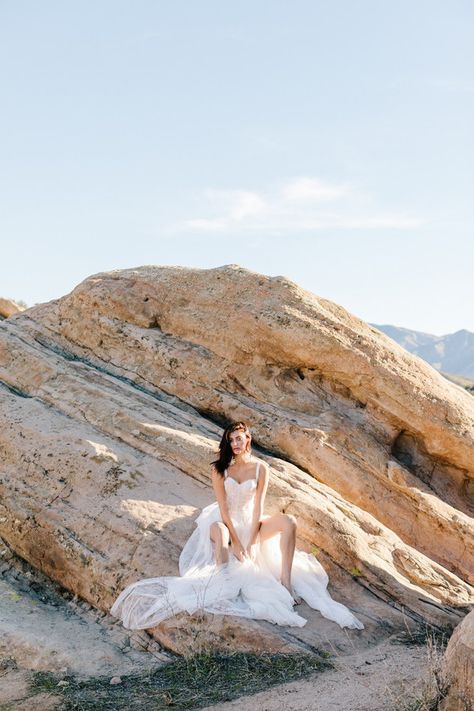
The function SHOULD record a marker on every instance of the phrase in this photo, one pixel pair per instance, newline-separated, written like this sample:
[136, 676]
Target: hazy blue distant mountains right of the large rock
[453, 354]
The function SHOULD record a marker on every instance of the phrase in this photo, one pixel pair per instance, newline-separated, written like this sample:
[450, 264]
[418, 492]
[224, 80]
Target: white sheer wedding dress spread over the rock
[248, 588]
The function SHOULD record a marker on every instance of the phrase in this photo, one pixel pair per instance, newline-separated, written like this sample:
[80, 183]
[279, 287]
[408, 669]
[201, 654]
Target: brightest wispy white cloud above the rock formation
[298, 205]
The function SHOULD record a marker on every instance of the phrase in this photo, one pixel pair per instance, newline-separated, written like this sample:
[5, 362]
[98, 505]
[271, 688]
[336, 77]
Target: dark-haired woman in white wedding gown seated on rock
[238, 561]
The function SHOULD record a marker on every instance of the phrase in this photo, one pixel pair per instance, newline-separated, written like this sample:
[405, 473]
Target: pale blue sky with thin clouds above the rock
[327, 141]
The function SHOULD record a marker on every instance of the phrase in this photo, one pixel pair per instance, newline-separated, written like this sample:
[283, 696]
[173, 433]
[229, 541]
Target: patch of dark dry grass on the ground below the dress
[188, 683]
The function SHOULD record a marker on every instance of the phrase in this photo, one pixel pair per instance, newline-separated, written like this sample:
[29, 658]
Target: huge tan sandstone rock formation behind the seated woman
[113, 400]
